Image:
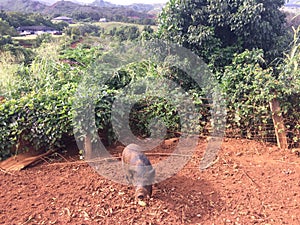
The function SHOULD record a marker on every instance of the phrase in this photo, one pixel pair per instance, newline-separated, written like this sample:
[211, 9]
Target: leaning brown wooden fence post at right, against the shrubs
[278, 124]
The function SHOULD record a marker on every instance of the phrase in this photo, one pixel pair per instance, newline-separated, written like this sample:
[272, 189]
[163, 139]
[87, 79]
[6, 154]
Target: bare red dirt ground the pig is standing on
[251, 183]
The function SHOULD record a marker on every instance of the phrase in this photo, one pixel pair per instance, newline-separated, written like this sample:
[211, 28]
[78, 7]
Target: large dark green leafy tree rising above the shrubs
[216, 29]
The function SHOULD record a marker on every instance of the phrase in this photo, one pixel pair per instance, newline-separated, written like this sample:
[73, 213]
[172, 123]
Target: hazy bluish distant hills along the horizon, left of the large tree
[136, 13]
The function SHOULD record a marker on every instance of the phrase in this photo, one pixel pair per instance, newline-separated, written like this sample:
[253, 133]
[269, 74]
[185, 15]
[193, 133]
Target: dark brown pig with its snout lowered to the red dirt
[138, 171]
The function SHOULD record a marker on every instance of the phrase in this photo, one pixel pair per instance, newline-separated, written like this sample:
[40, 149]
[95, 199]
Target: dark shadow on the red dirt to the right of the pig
[191, 199]
